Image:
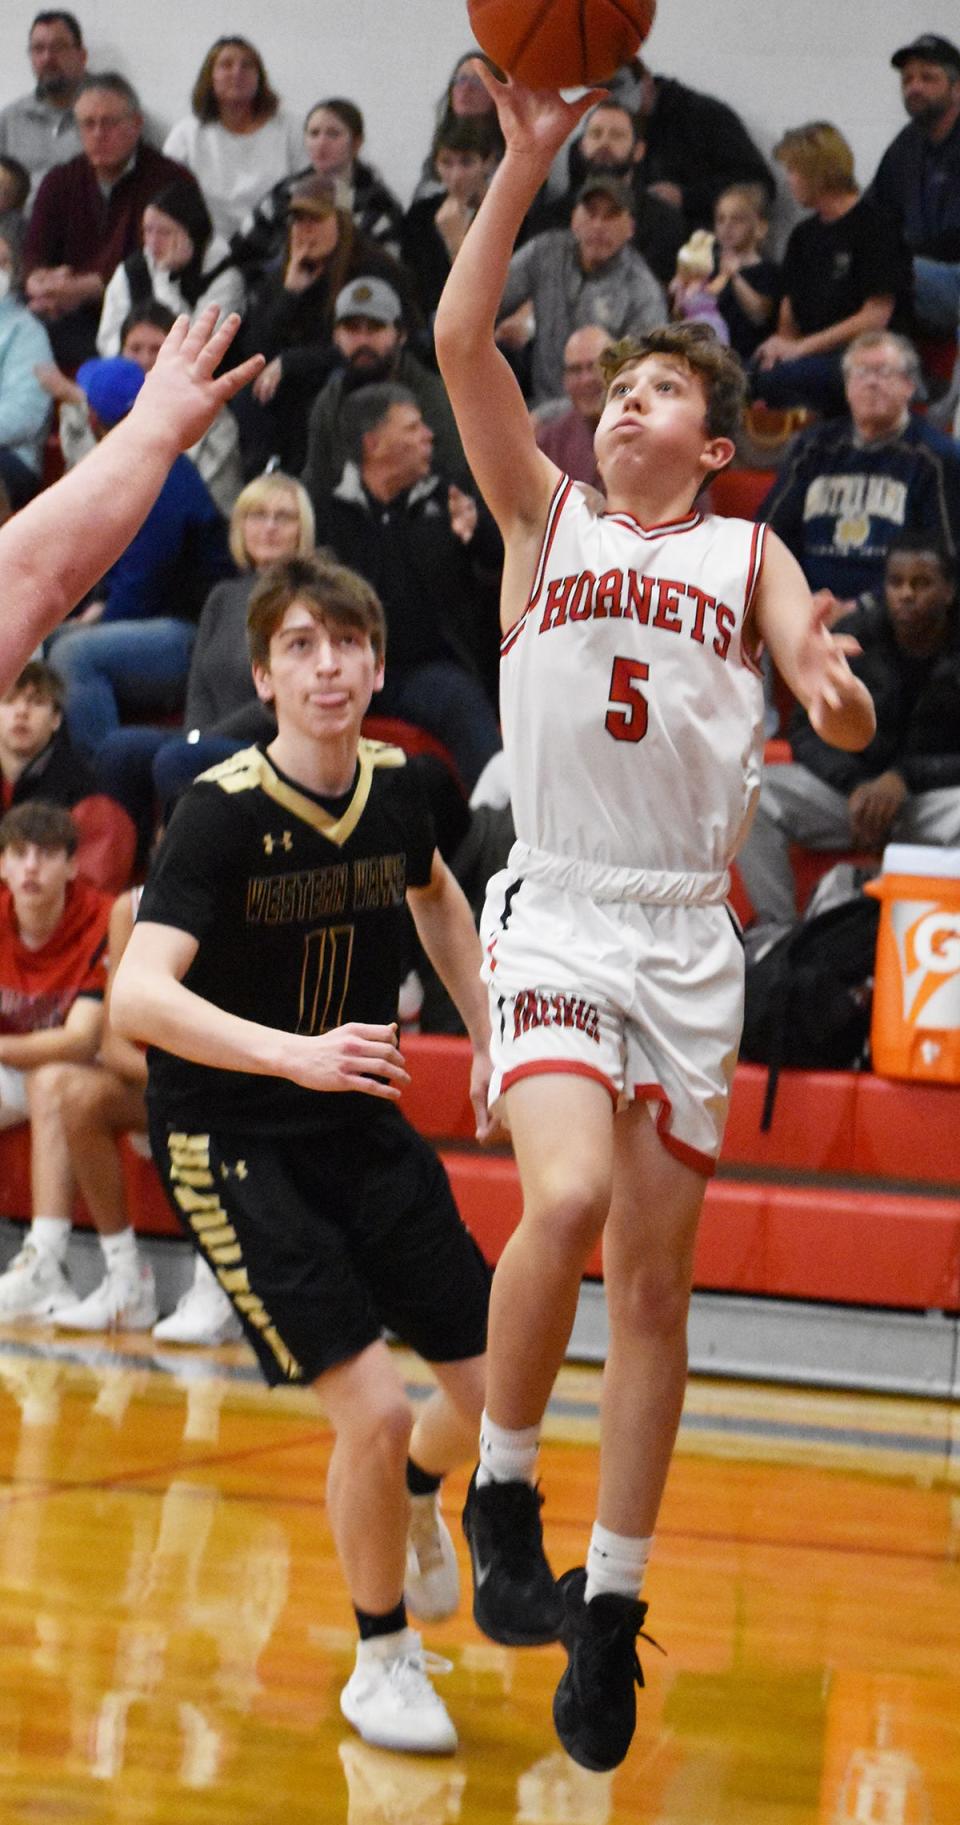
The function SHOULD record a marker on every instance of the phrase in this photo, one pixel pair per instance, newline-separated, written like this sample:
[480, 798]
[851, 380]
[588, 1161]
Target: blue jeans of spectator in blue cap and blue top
[121, 669]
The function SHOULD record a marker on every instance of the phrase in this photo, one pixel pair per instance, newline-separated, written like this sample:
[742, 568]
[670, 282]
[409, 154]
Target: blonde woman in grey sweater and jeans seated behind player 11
[147, 767]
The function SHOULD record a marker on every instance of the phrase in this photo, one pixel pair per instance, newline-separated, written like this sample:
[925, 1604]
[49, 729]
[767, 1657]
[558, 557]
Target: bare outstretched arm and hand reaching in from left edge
[63, 543]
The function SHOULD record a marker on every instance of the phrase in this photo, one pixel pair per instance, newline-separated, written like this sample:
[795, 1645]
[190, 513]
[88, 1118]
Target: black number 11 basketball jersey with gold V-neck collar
[298, 908]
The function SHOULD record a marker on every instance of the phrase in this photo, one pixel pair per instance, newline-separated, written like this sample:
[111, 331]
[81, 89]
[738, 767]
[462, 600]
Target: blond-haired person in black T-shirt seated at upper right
[844, 273]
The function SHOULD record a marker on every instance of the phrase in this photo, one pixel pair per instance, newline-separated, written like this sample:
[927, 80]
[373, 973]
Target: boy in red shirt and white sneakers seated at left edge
[52, 1005]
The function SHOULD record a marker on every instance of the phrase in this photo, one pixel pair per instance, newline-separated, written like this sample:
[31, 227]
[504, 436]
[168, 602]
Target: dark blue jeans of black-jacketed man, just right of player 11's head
[452, 705]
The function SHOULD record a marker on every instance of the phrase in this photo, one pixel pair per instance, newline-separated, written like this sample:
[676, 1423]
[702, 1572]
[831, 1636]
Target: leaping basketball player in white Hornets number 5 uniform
[634, 731]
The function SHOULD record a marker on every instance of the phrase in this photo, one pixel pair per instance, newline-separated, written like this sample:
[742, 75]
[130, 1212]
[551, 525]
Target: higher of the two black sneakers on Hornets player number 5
[516, 1596]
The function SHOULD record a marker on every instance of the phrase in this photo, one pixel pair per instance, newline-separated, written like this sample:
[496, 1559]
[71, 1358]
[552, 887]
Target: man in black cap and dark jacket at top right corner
[919, 178]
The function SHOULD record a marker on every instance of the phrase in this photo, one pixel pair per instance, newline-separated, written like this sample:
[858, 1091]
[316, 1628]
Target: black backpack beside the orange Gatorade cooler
[809, 996]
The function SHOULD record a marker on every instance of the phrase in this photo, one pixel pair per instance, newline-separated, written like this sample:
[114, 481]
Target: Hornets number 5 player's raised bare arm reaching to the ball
[512, 474]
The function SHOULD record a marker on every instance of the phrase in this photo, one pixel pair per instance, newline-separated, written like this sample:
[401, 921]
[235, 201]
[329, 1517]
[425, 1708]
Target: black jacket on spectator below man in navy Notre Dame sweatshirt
[917, 713]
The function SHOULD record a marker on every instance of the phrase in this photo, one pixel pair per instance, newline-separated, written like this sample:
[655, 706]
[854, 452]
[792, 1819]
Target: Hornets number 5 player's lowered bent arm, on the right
[811, 660]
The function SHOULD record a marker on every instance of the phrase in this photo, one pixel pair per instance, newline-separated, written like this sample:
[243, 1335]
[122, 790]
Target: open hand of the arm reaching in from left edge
[183, 393]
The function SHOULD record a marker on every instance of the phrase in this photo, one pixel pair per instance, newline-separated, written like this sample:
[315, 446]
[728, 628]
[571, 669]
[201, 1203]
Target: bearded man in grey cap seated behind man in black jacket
[371, 340]
